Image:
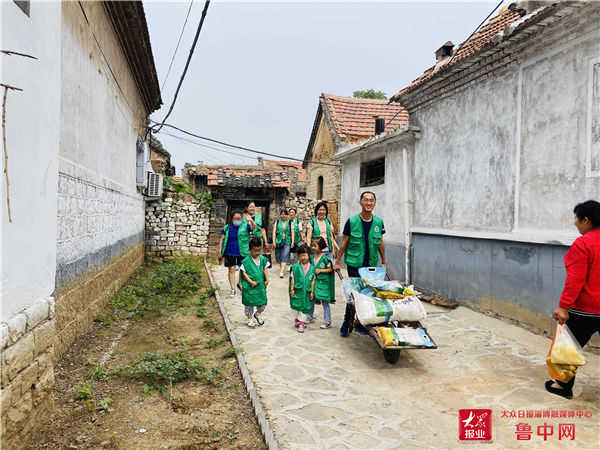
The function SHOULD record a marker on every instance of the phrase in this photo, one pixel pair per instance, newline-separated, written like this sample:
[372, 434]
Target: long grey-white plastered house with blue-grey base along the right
[478, 191]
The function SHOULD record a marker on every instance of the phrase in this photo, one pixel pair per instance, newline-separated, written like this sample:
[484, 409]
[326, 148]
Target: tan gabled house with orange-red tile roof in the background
[339, 122]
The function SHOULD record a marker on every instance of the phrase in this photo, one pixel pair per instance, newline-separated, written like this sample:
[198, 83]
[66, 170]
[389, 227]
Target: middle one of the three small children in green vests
[302, 284]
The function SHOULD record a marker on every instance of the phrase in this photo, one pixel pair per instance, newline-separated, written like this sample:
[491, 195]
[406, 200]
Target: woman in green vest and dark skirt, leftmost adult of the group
[233, 247]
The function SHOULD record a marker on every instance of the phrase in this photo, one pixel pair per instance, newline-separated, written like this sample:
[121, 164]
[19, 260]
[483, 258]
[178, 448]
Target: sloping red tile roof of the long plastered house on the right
[473, 45]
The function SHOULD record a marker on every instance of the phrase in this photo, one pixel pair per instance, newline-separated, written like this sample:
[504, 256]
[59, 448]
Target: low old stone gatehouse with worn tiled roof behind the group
[272, 185]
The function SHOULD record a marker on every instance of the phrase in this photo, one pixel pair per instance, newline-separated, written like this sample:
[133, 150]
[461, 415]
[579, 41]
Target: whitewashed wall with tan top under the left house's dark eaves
[99, 206]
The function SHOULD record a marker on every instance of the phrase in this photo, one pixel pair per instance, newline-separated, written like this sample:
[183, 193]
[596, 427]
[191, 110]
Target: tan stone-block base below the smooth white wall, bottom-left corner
[27, 369]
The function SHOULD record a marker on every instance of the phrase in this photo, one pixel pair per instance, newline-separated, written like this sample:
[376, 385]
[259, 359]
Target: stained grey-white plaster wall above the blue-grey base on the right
[510, 154]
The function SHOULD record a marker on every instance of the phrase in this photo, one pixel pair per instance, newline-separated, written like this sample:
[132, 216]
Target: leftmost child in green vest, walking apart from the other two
[255, 279]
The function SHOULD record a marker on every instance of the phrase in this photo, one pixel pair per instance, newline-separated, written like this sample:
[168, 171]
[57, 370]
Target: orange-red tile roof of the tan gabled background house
[355, 117]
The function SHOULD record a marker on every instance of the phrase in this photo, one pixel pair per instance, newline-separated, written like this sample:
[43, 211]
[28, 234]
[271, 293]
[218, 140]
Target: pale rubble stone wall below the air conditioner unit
[176, 227]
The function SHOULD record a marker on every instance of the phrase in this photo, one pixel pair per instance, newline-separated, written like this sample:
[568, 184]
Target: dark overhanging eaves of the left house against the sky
[129, 24]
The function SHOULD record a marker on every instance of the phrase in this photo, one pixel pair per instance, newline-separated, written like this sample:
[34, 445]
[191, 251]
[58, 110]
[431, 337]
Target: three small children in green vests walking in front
[311, 283]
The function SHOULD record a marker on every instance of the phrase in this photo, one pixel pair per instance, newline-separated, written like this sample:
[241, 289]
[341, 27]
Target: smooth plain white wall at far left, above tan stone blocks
[32, 128]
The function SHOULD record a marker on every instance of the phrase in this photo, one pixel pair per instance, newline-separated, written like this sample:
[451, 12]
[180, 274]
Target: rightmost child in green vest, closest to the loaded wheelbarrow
[324, 291]
